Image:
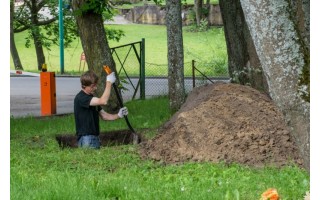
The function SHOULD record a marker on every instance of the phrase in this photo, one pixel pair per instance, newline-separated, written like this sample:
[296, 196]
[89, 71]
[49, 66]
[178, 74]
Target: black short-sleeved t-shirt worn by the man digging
[86, 116]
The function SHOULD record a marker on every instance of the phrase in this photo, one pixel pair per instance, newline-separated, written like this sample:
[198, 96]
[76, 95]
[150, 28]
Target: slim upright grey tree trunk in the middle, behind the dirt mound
[175, 54]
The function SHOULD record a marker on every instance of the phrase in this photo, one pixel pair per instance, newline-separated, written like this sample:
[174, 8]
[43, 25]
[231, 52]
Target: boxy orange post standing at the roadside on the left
[48, 93]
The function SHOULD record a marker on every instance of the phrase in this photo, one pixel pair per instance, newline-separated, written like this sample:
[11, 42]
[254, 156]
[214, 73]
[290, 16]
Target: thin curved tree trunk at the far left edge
[13, 48]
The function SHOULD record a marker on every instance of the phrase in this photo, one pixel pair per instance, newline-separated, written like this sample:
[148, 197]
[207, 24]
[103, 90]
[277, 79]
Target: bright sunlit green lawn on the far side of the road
[202, 46]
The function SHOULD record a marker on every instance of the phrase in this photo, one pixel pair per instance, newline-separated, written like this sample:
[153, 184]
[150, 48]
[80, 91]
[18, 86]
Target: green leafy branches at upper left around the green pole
[44, 14]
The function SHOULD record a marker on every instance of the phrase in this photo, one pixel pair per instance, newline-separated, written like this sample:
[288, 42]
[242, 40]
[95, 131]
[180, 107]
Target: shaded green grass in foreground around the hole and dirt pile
[39, 169]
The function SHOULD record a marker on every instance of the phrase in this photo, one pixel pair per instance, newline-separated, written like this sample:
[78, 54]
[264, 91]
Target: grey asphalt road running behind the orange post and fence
[25, 93]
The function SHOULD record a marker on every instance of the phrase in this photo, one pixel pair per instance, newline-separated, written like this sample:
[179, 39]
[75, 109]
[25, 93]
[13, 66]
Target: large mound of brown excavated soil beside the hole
[224, 122]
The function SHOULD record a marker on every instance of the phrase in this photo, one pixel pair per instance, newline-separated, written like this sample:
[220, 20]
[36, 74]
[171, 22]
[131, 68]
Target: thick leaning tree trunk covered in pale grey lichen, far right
[280, 49]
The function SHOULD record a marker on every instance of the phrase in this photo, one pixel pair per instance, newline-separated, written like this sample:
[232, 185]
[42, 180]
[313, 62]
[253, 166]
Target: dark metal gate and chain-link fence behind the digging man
[140, 79]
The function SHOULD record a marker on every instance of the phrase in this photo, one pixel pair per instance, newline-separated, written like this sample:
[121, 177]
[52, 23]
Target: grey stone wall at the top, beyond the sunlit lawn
[153, 14]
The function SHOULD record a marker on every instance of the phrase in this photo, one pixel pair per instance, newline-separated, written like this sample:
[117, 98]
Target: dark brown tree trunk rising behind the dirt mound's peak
[243, 62]
